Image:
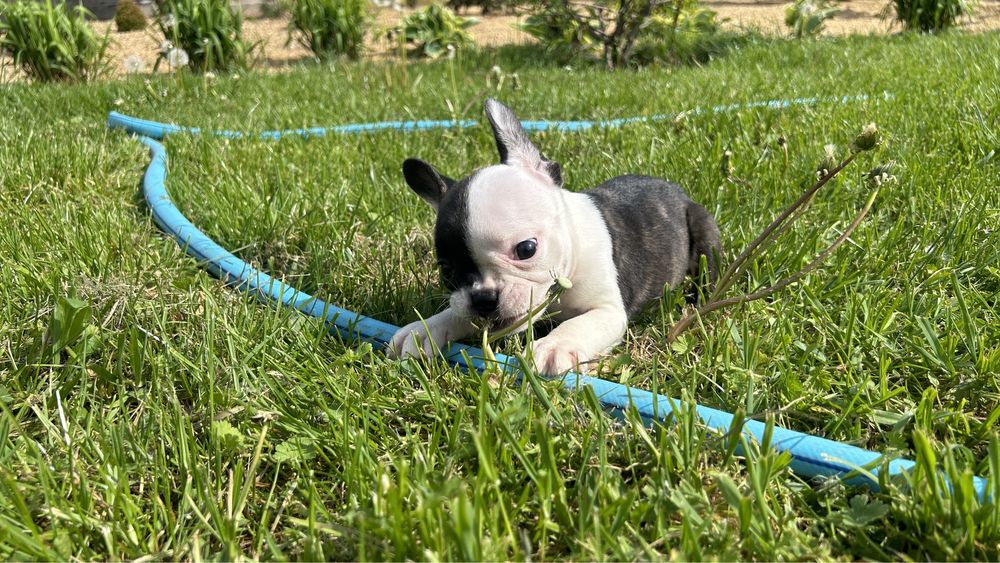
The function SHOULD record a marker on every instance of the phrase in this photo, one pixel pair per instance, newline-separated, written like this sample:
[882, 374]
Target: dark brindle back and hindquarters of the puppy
[657, 233]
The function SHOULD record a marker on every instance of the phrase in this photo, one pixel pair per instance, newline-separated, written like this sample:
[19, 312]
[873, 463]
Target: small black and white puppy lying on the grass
[505, 232]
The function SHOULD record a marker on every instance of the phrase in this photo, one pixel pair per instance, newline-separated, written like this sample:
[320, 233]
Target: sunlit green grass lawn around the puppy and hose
[148, 409]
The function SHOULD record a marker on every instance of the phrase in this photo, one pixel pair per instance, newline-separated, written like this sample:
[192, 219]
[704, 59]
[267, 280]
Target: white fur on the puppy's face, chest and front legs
[510, 204]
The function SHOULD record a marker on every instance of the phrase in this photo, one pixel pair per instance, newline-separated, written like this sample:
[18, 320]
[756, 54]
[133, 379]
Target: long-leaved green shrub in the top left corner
[50, 43]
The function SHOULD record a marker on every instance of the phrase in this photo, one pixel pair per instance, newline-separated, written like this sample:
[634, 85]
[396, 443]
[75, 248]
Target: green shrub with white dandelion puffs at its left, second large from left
[208, 31]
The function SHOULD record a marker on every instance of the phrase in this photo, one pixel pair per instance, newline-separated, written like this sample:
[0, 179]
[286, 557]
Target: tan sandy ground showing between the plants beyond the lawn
[855, 16]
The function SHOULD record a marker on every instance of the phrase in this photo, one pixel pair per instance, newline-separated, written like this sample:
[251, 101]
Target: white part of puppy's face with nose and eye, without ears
[517, 238]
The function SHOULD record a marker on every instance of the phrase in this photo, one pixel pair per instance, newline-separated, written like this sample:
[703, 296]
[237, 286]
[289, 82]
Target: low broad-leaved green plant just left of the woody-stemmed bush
[432, 30]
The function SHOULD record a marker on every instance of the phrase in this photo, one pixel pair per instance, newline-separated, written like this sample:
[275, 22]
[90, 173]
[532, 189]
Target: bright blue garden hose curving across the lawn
[811, 456]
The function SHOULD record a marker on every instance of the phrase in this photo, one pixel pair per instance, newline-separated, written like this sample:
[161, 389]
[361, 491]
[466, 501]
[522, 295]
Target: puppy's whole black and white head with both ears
[502, 233]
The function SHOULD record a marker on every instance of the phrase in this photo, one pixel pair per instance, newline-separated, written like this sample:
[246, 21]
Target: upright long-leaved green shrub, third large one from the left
[330, 27]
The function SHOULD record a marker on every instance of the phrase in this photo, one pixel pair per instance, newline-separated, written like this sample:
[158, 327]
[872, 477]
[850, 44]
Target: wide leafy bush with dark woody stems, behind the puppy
[621, 32]
